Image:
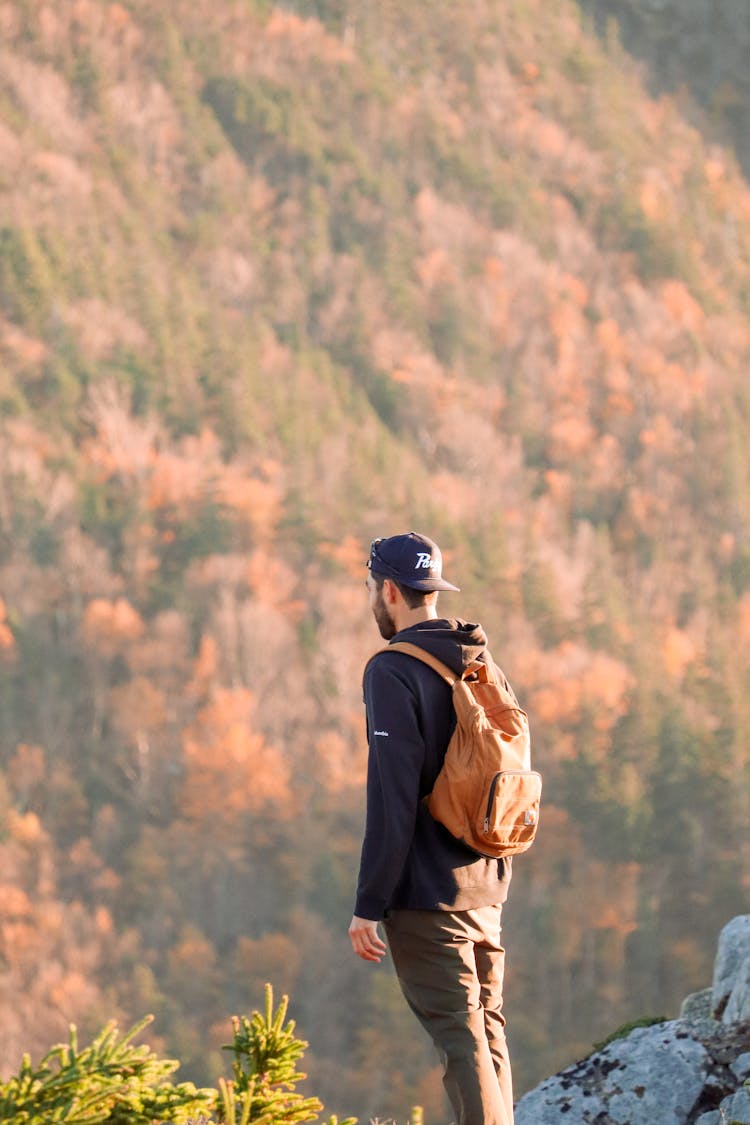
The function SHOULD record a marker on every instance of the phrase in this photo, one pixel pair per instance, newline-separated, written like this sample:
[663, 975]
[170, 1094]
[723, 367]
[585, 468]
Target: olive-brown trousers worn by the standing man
[450, 968]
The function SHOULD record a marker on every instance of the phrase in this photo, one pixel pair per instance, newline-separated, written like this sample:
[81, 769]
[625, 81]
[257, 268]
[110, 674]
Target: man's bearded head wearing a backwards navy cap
[404, 580]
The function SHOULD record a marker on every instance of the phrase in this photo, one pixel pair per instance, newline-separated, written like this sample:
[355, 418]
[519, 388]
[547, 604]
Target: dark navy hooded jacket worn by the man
[409, 860]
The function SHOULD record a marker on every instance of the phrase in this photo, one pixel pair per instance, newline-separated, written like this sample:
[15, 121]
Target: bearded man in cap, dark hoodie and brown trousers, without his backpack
[440, 903]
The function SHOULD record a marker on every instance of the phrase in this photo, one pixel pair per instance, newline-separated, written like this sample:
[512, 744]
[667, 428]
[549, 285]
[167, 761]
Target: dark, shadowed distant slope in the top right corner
[699, 46]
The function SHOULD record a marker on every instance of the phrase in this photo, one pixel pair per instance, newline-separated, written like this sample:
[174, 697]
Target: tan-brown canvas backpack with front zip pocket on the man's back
[486, 793]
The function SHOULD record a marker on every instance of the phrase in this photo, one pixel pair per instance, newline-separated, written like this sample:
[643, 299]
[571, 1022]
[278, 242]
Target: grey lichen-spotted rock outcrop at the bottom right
[685, 1072]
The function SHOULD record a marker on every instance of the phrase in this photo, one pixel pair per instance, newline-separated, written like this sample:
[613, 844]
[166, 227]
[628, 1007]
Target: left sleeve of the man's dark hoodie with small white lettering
[395, 763]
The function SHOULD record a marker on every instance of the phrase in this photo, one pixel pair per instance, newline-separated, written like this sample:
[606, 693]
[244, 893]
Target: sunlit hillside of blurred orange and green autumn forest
[276, 280]
